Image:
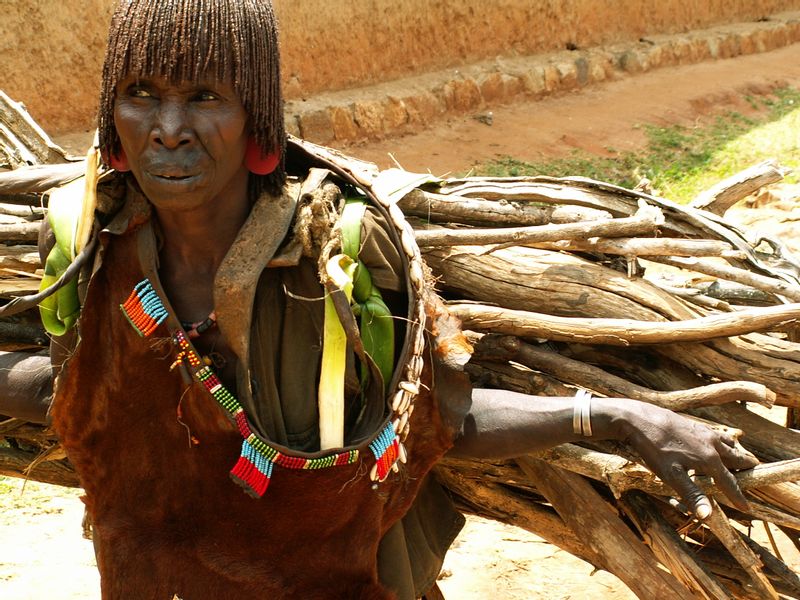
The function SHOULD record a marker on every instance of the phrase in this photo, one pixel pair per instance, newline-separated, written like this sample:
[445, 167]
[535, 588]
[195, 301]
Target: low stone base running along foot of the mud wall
[410, 104]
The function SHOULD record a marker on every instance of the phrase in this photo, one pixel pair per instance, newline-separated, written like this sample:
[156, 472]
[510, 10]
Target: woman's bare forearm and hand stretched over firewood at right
[503, 424]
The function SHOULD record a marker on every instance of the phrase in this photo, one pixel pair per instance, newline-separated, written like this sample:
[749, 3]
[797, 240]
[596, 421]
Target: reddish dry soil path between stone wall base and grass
[598, 118]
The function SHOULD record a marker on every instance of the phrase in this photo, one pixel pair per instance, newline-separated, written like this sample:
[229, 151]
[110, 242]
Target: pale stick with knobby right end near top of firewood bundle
[645, 222]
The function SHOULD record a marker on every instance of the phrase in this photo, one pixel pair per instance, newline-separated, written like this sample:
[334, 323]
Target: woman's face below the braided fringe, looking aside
[185, 143]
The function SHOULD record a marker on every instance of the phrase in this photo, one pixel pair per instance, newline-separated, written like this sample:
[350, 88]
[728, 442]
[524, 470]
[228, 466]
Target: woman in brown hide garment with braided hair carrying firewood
[200, 350]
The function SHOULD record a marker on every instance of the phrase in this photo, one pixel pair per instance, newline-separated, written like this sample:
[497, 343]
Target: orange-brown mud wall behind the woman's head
[51, 50]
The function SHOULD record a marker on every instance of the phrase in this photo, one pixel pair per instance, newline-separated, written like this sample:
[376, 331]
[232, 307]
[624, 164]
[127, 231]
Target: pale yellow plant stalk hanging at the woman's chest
[339, 270]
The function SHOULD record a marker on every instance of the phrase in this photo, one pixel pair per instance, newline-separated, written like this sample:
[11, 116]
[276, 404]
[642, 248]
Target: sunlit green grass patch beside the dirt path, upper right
[682, 161]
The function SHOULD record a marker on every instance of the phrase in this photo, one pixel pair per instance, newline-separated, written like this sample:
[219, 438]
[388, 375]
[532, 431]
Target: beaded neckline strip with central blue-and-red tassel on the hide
[253, 470]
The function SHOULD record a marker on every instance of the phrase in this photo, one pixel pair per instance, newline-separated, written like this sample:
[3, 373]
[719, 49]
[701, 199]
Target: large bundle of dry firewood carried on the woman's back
[565, 284]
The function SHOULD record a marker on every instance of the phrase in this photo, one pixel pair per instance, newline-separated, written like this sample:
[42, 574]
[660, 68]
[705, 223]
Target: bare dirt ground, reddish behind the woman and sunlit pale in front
[42, 553]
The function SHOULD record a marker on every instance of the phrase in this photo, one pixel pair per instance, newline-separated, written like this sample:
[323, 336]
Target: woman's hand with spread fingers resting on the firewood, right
[673, 445]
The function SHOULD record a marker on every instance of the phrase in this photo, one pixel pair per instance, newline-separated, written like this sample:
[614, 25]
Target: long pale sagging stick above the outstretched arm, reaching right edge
[622, 332]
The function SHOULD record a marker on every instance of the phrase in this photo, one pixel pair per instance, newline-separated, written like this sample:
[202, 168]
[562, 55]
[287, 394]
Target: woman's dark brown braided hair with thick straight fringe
[183, 40]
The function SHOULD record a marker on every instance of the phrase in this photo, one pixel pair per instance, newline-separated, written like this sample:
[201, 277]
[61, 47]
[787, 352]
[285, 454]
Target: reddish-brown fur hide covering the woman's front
[154, 455]
